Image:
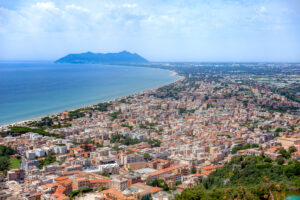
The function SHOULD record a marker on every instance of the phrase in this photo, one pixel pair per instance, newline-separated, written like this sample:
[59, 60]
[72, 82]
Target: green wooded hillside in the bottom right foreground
[247, 177]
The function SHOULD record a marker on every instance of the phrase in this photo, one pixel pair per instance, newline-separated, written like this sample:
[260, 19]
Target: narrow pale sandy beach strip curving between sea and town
[23, 122]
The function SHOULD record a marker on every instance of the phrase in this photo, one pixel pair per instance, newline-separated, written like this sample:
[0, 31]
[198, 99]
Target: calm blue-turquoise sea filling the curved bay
[34, 89]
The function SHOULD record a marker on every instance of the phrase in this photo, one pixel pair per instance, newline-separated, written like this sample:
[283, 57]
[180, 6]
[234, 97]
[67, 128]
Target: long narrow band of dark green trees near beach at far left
[18, 130]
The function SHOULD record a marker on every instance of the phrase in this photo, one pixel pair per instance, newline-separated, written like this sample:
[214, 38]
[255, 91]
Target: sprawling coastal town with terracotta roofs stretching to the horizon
[157, 143]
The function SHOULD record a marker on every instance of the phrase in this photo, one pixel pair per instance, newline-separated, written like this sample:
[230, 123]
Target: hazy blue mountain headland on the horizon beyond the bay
[89, 57]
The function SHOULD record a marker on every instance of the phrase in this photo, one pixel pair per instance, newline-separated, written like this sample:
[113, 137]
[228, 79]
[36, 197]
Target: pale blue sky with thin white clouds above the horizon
[159, 30]
